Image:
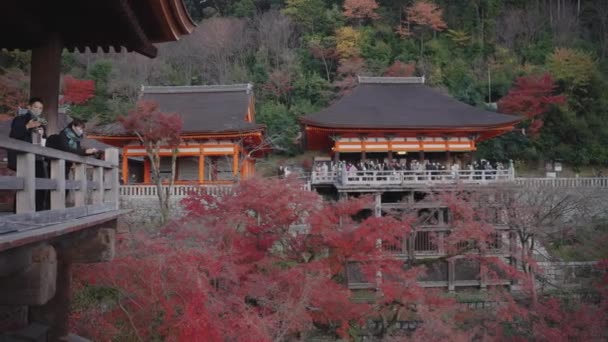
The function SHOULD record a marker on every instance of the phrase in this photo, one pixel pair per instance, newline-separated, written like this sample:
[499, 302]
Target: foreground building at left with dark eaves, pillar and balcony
[39, 248]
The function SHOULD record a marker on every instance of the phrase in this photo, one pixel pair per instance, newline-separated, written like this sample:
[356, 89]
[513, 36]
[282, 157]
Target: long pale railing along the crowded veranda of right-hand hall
[405, 177]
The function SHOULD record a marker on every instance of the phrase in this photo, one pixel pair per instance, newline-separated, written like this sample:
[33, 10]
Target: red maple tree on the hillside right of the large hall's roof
[531, 96]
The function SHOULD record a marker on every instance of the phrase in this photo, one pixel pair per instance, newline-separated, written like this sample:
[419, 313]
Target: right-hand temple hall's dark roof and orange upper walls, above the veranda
[386, 115]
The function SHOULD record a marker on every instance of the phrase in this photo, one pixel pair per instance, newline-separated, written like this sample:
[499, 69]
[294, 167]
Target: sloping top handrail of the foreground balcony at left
[51, 153]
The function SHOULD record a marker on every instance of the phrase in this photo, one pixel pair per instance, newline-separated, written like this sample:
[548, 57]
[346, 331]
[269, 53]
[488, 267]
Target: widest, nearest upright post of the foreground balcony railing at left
[26, 169]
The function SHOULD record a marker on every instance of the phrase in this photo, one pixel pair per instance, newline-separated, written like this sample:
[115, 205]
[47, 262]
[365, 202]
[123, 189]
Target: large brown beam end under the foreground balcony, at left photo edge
[34, 285]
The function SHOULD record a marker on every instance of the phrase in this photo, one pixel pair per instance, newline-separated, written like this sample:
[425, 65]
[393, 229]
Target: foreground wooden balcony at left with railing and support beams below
[38, 248]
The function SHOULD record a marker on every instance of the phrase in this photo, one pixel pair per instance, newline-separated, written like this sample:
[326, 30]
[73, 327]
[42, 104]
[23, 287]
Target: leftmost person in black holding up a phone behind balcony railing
[24, 127]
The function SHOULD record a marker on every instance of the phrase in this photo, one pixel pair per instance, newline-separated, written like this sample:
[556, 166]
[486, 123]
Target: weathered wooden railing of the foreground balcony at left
[98, 195]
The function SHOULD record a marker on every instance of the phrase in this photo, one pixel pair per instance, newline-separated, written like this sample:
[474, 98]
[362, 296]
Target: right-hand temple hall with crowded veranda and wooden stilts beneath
[396, 119]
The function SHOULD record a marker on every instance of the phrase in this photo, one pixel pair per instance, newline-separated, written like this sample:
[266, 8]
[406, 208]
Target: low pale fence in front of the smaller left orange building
[177, 191]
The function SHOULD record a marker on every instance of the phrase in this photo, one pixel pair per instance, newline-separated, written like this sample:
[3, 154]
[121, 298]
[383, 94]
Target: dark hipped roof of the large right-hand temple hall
[402, 102]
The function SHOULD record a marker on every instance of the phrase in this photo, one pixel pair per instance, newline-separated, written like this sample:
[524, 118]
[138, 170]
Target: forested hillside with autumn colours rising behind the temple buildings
[302, 54]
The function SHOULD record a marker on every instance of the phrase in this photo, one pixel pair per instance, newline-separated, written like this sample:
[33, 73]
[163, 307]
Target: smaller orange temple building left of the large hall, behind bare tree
[220, 139]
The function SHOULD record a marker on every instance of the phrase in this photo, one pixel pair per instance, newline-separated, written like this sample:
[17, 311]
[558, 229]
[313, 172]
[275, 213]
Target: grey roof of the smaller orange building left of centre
[204, 109]
